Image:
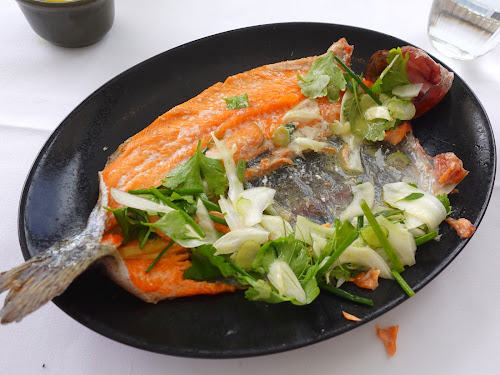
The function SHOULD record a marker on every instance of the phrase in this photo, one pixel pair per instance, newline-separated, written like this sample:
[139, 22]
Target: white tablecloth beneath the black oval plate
[449, 327]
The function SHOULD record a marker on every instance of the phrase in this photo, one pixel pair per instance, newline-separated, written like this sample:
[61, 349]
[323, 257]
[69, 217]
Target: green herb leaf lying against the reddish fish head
[394, 74]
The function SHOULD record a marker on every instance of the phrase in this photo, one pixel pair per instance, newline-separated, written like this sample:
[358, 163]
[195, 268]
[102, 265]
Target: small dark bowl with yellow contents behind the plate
[73, 23]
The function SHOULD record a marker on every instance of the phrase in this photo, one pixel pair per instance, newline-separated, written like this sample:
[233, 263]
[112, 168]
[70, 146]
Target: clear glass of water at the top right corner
[464, 29]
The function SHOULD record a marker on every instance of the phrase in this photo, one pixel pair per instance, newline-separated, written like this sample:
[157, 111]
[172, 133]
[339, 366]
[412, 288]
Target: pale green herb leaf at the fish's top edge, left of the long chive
[324, 78]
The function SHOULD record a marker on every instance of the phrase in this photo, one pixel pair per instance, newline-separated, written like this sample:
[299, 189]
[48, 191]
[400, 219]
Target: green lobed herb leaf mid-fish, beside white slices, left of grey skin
[189, 174]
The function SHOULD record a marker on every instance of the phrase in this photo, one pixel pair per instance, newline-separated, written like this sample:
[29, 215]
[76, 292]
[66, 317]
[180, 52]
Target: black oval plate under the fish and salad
[62, 188]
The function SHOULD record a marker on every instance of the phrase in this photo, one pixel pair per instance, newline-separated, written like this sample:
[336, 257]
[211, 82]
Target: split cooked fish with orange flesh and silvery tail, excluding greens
[320, 188]
